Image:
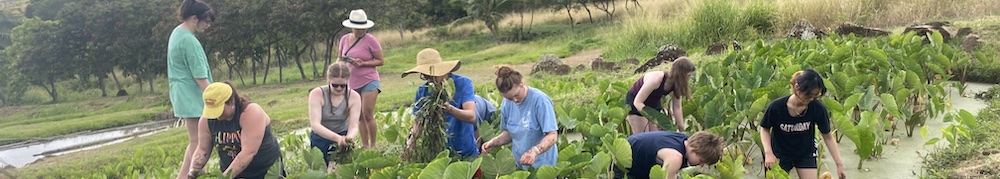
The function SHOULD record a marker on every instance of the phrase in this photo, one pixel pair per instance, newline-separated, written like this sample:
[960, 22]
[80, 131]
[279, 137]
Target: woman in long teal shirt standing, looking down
[187, 69]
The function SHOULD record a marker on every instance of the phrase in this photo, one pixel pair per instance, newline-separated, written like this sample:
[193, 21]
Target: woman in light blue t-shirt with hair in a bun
[528, 121]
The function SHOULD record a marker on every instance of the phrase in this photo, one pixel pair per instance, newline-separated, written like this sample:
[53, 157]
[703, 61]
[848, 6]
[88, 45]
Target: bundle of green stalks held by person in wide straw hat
[430, 137]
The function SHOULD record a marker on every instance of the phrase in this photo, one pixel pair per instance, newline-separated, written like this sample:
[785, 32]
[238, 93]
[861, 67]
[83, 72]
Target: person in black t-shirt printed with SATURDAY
[787, 130]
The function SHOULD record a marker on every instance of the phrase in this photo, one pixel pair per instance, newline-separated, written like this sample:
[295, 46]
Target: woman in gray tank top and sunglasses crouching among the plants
[333, 112]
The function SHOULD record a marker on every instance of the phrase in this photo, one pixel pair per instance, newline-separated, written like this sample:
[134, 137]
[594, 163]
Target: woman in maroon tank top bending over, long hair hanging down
[652, 87]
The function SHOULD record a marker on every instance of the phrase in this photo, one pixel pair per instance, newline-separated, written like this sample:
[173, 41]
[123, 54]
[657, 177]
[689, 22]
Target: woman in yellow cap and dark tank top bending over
[241, 132]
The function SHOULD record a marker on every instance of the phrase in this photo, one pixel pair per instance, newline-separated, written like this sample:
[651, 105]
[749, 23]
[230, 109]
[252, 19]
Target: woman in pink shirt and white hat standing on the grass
[364, 54]
